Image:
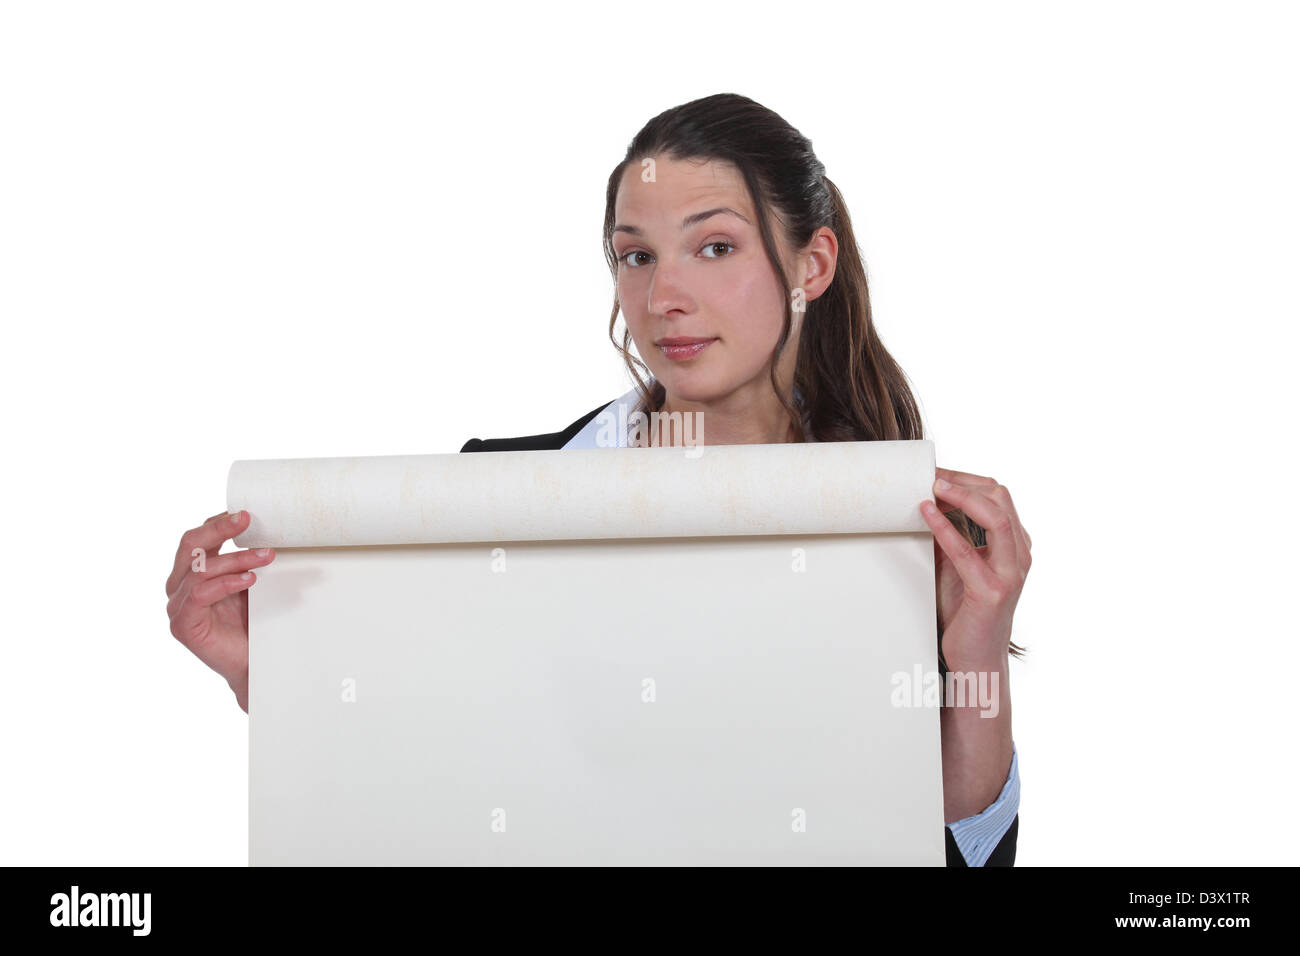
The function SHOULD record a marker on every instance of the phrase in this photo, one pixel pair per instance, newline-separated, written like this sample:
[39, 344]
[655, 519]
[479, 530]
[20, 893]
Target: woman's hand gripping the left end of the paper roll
[210, 609]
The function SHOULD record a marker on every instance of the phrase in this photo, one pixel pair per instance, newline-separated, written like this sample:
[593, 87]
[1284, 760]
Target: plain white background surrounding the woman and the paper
[1080, 223]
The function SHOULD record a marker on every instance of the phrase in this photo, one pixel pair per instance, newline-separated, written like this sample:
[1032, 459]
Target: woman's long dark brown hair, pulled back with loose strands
[851, 388]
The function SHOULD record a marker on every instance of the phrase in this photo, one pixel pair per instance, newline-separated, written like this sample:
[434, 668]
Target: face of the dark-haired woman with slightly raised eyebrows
[692, 266]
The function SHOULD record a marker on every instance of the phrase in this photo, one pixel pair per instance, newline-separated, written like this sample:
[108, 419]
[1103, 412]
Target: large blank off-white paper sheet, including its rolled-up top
[593, 657]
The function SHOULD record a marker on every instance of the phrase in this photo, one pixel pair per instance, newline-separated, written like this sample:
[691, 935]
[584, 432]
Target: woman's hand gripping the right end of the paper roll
[978, 589]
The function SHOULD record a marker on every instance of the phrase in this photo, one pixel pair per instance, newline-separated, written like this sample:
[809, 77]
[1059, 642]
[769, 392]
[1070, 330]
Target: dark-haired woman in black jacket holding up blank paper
[740, 282]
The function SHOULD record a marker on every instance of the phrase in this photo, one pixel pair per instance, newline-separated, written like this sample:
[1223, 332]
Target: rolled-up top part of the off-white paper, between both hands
[869, 487]
